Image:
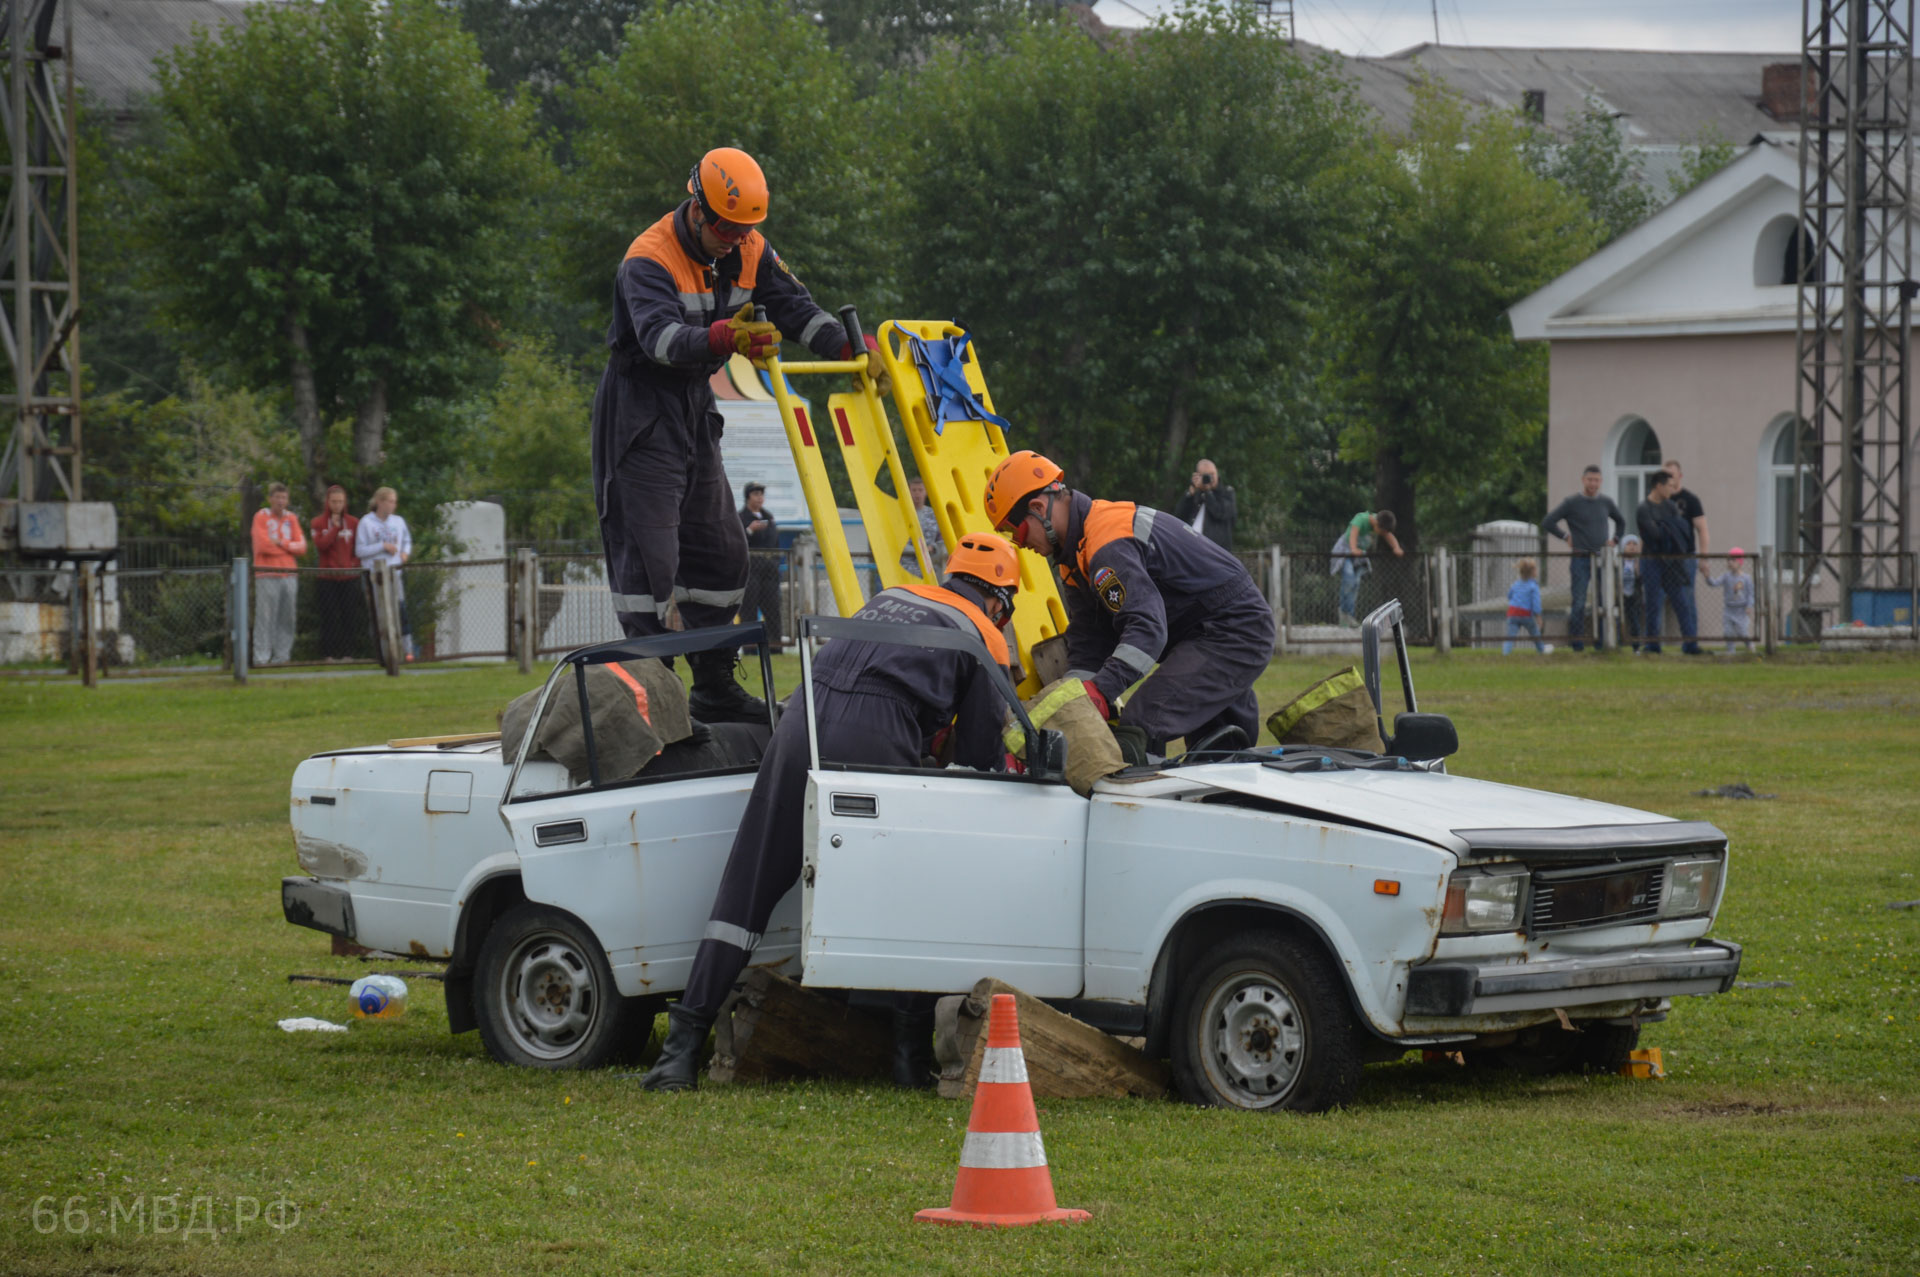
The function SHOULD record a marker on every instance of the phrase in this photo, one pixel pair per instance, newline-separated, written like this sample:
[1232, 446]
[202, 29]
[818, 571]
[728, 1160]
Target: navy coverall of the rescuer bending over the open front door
[878, 706]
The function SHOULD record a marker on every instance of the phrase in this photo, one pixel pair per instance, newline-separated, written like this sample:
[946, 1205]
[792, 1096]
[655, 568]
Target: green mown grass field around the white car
[143, 836]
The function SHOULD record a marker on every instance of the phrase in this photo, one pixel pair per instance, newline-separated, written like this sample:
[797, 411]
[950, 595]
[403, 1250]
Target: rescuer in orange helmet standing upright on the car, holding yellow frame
[684, 302]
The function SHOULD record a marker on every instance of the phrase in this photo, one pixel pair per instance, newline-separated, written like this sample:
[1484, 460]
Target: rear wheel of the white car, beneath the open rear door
[544, 996]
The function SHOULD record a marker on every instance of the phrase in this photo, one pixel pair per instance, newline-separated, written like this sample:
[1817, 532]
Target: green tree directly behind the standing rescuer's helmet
[780, 95]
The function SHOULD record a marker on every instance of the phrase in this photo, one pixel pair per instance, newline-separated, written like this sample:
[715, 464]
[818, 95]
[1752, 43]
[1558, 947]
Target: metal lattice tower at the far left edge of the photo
[39, 256]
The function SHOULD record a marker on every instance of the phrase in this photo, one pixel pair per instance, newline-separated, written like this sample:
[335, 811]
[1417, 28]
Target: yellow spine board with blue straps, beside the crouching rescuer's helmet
[955, 466]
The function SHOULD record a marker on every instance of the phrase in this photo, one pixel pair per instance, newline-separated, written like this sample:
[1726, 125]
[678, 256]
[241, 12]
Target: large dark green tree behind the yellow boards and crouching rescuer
[1134, 235]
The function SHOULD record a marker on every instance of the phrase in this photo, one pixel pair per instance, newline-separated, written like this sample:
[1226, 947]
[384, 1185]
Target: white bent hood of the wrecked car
[1428, 806]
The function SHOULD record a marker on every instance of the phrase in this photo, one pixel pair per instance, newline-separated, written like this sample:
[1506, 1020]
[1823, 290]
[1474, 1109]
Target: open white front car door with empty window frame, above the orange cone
[930, 880]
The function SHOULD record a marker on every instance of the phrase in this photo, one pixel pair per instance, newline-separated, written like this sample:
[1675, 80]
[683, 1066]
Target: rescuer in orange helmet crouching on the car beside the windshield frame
[1143, 589]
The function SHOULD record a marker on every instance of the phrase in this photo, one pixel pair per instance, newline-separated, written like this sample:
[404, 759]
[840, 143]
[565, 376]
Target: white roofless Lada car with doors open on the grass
[1268, 919]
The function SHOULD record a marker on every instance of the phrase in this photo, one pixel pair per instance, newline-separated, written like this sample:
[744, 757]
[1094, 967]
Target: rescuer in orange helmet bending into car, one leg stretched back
[878, 706]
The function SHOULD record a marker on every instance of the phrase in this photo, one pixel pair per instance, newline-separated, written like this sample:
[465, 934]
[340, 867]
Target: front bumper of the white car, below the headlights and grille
[1451, 990]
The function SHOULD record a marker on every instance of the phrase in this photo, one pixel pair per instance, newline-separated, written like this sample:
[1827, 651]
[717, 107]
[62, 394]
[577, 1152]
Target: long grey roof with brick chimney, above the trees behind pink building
[1673, 99]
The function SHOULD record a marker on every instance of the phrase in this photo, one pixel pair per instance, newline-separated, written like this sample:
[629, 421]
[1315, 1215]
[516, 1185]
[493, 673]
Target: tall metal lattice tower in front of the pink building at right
[1854, 291]
